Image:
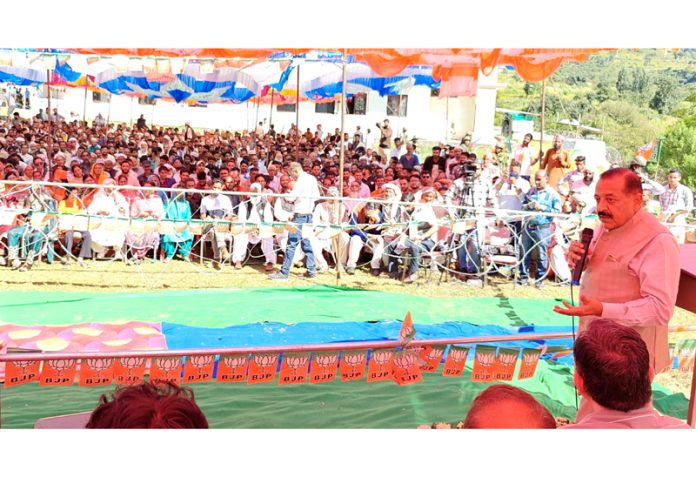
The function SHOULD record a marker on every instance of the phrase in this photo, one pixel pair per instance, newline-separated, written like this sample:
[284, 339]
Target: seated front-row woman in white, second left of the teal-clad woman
[111, 233]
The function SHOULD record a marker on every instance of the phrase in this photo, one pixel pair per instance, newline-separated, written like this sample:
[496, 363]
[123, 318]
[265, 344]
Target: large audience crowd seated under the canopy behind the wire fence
[384, 190]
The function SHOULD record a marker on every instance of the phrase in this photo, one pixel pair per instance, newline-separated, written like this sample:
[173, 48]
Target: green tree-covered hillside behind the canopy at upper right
[633, 96]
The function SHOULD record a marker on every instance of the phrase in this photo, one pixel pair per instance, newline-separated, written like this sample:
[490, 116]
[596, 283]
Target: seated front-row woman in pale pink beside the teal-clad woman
[148, 207]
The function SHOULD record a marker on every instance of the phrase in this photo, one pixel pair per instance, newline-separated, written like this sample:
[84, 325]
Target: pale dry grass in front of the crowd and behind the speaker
[110, 276]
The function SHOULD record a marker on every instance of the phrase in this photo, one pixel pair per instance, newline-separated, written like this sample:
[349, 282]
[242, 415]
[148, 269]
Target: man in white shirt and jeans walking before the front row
[303, 195]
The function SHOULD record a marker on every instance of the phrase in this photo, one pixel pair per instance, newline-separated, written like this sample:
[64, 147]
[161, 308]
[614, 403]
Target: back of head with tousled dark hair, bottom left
[148, 406]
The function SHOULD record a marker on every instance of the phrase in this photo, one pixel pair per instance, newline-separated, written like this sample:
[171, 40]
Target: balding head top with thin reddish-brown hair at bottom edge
[502, 406]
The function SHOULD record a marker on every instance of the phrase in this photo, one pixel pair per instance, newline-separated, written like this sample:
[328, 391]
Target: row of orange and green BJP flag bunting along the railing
[403, 364]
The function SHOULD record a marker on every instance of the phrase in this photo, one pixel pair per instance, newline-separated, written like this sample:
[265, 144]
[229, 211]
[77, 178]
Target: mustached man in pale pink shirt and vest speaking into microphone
[632, 271]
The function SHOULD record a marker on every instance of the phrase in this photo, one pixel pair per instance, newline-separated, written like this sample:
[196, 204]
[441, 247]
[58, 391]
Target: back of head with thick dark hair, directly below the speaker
[614, 364]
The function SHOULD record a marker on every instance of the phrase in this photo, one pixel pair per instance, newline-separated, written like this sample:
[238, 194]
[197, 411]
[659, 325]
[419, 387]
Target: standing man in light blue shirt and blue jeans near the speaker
[537, 229]
